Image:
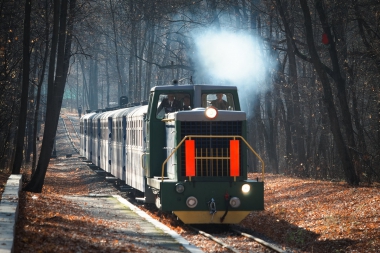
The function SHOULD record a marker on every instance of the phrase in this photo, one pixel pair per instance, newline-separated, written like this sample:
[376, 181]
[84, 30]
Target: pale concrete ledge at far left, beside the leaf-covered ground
[9, 208]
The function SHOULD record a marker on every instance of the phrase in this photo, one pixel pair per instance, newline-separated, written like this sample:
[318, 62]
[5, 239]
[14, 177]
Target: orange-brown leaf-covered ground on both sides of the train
[305, 215]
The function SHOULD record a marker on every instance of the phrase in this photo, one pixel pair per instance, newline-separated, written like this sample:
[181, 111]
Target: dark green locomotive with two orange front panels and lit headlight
[196, 162]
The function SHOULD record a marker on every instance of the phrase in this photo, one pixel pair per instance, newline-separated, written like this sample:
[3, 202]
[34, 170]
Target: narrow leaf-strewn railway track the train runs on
[227, 239]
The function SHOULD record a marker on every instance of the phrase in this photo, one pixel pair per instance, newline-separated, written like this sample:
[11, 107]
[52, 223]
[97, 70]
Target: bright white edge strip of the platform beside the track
[177, 237]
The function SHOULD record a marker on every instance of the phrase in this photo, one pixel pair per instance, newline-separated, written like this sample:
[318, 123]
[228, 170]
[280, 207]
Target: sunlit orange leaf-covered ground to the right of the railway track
[319, 216]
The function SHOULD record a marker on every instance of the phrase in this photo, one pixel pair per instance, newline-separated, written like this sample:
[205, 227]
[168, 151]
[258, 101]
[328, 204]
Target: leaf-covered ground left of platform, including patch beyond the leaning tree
[48, 222]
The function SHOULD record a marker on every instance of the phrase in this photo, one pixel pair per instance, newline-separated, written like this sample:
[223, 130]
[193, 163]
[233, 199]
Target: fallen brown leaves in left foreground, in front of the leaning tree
[53, 224]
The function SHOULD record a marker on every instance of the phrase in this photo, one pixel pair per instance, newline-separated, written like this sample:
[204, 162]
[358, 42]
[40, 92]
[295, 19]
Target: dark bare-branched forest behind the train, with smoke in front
[307, 81]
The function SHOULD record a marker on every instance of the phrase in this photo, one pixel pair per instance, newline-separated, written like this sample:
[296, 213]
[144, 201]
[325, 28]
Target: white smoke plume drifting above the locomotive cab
[232, 58]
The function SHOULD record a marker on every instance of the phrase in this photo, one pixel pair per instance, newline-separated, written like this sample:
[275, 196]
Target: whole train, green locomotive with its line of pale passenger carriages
[191, 160]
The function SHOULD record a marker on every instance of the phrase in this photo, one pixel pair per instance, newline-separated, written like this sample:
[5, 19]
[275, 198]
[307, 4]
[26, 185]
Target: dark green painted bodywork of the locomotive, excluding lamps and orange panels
[163, 136]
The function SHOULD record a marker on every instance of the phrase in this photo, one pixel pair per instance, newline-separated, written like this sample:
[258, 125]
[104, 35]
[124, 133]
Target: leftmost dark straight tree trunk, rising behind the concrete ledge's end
[25, 89]
